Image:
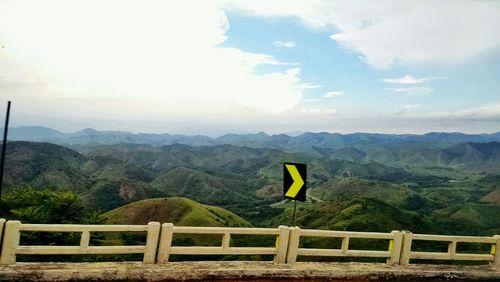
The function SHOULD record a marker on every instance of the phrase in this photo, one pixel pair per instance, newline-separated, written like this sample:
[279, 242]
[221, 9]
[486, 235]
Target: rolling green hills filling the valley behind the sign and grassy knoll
[434, 183]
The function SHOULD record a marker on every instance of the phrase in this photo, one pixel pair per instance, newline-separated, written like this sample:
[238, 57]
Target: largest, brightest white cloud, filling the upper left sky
[159, 60]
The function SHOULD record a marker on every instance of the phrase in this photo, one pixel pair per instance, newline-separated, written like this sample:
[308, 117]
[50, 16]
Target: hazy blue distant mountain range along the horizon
[305, 142]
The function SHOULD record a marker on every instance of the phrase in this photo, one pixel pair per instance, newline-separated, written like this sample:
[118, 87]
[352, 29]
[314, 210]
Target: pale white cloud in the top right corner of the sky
[396, 32]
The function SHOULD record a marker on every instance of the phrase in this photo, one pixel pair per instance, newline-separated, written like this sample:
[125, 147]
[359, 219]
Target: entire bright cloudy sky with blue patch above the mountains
[277, 66]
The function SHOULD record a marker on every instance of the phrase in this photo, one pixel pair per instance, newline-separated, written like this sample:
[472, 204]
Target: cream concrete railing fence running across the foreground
[158, 246]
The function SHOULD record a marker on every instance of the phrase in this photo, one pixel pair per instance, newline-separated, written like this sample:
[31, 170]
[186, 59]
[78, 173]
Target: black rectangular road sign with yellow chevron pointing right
[294, 181]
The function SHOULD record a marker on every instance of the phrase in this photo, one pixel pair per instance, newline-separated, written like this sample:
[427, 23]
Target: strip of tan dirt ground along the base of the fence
[242, 271]
